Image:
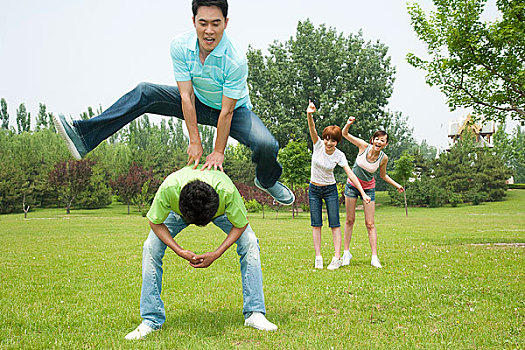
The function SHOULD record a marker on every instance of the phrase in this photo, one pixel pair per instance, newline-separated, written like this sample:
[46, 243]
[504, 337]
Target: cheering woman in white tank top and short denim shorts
[370, 158]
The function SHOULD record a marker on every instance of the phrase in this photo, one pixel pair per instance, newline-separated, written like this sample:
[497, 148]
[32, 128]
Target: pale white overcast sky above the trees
[71, 54]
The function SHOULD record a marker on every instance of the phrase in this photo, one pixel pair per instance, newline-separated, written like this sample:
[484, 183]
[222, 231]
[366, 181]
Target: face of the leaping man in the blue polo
[210, 25]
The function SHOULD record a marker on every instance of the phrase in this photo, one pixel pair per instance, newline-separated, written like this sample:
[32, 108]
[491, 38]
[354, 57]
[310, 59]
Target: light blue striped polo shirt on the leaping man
[224, 72]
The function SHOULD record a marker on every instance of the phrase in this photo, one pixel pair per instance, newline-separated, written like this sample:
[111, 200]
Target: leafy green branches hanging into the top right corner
[475, 64]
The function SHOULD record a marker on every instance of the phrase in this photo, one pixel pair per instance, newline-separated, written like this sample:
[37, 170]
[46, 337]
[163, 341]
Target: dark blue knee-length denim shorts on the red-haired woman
[316, 194]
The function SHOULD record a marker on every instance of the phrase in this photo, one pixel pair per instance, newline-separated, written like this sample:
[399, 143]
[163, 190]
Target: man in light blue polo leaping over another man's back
[211, 73]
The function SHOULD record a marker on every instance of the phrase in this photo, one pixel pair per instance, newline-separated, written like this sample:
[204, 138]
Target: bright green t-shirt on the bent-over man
[167, 197]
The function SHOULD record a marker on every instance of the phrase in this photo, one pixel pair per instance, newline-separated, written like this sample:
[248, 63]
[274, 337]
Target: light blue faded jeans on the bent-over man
[151, 305]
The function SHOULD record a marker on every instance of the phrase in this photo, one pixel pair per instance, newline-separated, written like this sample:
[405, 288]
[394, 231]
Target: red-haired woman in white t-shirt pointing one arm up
[325, 157]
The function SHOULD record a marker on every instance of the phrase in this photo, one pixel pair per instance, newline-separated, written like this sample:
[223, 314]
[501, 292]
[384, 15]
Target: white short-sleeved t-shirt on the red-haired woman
[323, 164]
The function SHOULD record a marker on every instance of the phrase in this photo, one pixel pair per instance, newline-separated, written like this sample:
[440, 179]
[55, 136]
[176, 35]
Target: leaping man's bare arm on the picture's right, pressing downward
[216, 158]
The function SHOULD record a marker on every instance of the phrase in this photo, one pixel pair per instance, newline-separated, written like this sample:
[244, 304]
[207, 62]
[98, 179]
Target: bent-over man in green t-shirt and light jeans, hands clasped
[191, 196]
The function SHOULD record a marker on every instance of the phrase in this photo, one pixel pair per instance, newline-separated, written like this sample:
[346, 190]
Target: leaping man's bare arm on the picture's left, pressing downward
[190, 117]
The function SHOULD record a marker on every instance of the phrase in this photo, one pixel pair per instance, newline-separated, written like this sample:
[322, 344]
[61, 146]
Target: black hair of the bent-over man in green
[198, 203]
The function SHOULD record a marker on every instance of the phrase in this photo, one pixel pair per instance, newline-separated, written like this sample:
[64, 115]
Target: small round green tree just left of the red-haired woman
[295, 159]
